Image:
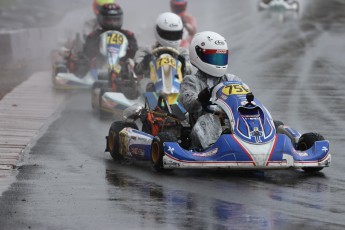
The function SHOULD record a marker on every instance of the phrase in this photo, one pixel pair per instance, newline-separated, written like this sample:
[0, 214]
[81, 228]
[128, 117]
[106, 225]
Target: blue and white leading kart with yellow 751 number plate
[247, 138]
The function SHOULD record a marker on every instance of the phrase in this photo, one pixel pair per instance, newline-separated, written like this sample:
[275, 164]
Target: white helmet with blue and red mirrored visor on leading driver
[209, 53]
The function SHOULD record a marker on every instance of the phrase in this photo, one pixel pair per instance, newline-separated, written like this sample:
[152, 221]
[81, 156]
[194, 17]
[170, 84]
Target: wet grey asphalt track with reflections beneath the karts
[293, 63]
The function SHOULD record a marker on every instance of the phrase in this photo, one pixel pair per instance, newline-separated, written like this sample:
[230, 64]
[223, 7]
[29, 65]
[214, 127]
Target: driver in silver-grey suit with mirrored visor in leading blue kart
[209, 54]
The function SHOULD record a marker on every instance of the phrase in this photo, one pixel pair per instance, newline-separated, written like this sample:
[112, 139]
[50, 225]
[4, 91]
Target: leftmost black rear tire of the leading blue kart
[114, 138]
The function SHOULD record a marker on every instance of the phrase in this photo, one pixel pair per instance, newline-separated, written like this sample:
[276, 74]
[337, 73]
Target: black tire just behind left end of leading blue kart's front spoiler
[157, 149]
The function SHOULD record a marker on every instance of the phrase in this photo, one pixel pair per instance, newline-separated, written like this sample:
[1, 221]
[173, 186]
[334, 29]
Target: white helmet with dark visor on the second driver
[169, 30]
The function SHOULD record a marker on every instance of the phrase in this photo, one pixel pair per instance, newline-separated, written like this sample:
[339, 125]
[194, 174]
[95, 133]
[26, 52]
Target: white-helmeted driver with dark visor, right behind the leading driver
[168, 33]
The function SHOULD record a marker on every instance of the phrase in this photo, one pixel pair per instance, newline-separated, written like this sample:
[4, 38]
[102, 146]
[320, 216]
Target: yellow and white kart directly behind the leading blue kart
[166, 73]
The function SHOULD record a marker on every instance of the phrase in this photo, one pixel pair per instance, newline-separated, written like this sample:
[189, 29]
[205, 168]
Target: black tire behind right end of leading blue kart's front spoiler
[306, 141]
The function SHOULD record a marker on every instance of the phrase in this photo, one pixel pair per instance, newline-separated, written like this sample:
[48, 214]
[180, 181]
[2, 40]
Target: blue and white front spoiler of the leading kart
[228, 152]
